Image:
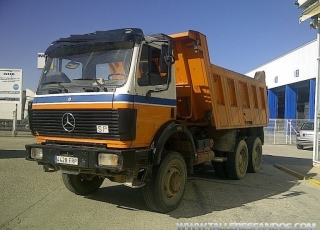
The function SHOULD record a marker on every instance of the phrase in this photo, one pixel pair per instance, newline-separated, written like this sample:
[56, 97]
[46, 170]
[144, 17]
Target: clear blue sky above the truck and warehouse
[241, 34]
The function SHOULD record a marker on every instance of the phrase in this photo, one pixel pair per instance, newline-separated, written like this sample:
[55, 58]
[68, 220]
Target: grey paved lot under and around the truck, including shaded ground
[33, 199]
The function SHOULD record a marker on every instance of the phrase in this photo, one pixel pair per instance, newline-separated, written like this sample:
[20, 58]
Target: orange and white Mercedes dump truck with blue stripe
[143, 110]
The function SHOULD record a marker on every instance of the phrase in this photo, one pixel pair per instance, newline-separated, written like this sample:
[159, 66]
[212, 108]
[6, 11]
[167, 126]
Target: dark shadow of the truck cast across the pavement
[207, 193]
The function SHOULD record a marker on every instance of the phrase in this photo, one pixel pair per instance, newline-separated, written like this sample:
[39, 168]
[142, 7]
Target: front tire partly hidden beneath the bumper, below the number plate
[82, 184]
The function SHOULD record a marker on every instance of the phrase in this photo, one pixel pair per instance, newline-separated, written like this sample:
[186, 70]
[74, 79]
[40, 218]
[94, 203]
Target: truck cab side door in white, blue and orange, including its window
[154, 96]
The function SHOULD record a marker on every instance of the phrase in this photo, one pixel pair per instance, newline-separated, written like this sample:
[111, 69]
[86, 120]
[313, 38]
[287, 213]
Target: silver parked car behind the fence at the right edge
[305, 135]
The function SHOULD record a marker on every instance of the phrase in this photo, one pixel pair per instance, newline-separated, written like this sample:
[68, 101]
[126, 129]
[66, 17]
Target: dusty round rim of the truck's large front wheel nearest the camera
[172, 181]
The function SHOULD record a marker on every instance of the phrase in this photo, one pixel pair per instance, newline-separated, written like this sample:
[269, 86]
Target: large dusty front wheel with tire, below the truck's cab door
[165, 191]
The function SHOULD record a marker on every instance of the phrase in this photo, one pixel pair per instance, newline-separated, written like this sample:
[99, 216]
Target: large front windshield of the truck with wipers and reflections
[86, 68]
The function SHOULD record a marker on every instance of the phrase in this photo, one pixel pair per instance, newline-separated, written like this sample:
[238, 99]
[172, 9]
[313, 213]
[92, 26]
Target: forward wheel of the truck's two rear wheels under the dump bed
[237, 162]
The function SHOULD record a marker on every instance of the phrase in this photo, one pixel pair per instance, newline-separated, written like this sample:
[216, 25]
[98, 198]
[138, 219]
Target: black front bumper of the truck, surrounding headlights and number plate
[88, 156]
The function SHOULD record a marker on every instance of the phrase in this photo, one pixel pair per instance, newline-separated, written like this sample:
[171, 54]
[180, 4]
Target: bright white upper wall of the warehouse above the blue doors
[303, 59]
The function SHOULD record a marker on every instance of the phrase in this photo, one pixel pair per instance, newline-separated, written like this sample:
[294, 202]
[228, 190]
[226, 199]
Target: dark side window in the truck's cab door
[148, 71]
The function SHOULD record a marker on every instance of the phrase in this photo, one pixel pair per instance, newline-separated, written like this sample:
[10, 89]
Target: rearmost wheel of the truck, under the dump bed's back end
[255, 154]
